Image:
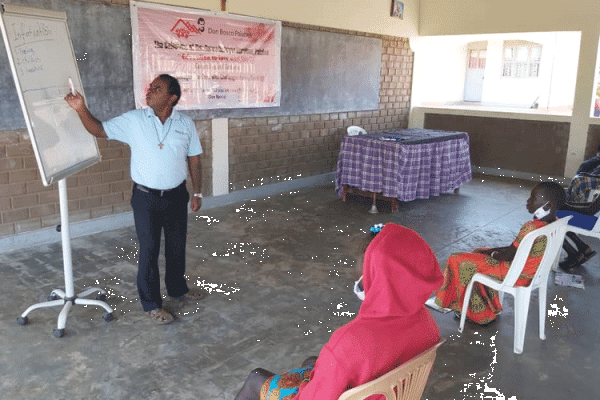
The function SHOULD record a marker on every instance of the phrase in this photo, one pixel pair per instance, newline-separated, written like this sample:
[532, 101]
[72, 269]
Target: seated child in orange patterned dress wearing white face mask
[484, 304]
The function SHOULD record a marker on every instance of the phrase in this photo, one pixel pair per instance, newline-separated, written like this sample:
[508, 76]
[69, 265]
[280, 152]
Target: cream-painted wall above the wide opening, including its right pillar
[460, 17]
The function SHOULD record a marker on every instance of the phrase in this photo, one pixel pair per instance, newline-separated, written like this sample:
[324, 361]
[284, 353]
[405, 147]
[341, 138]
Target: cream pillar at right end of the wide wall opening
[583, 102]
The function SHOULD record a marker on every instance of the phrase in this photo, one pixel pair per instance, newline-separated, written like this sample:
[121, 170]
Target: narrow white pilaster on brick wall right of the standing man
[220, 151]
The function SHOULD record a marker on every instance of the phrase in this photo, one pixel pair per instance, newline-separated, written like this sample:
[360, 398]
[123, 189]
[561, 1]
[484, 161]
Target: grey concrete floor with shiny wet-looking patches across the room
[279, 272]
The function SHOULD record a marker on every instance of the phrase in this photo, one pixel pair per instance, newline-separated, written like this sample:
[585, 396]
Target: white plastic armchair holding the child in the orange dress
[555, 234]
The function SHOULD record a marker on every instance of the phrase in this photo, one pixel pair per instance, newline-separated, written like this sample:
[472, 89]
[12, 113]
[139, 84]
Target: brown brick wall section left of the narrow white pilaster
[101, 190]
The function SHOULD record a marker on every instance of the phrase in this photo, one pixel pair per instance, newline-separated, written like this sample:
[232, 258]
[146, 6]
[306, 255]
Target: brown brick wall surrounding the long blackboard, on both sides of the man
[262, 151]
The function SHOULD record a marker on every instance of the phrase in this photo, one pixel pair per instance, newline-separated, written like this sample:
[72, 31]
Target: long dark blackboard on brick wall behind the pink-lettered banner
[321, 72]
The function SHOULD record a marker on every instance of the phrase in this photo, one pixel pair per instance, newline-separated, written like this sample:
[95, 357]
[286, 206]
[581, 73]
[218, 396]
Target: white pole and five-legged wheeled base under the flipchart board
[67, 298]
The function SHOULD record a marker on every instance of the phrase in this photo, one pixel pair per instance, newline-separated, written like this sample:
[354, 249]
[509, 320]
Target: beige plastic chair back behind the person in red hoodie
[405, 382]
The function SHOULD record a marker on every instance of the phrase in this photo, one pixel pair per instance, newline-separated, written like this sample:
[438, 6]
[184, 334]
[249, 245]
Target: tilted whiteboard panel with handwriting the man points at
[42, 61]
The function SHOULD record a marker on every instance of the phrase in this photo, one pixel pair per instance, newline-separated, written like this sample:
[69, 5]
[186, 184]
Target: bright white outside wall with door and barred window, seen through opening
[440, 65]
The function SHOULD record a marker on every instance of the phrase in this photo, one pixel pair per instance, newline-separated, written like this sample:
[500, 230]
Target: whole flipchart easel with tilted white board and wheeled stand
[43, 63]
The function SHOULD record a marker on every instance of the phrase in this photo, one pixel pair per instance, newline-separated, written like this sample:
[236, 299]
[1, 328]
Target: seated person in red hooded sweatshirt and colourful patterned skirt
[399, 273]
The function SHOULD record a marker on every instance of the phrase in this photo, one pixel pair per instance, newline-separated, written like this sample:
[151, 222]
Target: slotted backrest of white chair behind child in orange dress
[554, 232]
